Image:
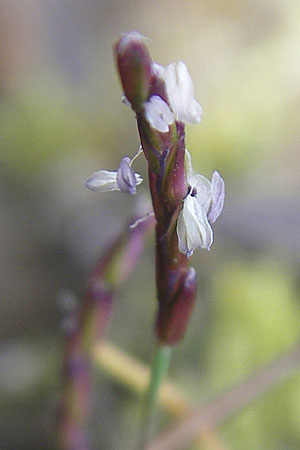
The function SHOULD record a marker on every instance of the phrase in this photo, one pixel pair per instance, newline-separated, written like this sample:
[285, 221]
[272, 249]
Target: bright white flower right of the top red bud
[180, 91]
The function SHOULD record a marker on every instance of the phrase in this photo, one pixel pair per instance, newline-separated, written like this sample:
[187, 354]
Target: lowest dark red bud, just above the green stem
[173, 318]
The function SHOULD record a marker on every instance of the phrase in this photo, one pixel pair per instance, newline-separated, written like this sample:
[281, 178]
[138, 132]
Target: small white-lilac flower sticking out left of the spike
[124, 179]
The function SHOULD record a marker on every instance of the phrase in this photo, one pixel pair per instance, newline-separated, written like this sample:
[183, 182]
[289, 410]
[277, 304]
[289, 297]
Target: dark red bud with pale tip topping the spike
[135, 68]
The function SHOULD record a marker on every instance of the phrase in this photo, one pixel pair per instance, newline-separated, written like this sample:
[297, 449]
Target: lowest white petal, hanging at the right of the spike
[193, 228]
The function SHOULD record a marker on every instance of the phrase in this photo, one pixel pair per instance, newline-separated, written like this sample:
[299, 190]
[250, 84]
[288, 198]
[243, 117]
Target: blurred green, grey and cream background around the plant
[61, 119]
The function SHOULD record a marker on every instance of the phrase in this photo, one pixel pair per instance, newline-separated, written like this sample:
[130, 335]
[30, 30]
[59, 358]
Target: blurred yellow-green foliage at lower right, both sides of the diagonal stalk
[256, 318]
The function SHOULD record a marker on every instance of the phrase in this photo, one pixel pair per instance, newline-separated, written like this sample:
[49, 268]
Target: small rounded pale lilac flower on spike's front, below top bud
[158, 114]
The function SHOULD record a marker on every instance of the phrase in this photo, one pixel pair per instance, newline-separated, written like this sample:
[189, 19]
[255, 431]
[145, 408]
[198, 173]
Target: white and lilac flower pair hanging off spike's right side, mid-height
[201, 207]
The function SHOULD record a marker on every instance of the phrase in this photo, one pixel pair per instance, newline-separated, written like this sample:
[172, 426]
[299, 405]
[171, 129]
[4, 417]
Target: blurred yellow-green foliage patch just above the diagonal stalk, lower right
[256, 316]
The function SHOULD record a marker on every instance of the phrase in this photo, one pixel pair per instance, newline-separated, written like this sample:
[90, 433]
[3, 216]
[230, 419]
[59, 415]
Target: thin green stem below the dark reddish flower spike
[159, 368]
